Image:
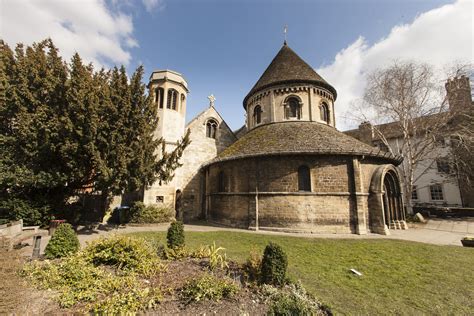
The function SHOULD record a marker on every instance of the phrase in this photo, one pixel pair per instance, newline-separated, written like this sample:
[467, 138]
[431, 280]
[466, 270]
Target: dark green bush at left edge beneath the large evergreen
[31, 213]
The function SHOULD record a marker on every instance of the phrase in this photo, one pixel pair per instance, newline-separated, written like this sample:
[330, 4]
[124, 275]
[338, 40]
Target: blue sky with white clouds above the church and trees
[223, 46]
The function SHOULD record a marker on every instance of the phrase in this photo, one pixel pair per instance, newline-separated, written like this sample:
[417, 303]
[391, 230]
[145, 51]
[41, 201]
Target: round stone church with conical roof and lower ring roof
[293, 170]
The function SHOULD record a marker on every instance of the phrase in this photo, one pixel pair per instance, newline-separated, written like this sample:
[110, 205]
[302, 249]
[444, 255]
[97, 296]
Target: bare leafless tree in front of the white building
[408, 115]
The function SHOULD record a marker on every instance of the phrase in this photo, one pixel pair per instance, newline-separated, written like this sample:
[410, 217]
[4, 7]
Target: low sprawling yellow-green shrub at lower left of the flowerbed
[77, 281]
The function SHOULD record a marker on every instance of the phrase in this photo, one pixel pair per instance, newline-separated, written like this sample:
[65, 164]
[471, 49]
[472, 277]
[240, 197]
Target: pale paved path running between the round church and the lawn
[435, 231]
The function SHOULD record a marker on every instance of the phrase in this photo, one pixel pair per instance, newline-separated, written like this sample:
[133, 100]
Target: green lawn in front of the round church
[399, 277]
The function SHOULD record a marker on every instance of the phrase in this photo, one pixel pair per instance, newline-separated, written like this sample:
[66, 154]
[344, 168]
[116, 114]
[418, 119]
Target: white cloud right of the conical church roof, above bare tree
[439, 37]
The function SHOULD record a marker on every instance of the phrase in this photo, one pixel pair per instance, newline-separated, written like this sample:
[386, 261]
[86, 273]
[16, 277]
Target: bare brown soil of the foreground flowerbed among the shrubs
[16, 297]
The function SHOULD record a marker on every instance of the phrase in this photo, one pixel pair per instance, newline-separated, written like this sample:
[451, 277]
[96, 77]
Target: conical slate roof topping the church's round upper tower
[288, 67]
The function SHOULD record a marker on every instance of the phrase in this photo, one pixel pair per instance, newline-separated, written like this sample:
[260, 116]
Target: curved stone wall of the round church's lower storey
[262, 193]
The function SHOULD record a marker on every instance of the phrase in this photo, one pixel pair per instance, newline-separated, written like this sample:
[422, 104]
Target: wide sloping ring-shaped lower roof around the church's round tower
[299, 137]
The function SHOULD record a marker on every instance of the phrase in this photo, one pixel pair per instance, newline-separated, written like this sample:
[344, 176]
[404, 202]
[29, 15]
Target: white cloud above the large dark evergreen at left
[89, 27]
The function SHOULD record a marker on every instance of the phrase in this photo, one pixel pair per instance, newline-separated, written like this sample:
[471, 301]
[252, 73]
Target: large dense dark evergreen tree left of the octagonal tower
[66, 129]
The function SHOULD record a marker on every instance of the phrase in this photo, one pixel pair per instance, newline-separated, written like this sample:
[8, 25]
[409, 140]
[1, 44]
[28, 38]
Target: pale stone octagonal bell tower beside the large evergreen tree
[169, 90]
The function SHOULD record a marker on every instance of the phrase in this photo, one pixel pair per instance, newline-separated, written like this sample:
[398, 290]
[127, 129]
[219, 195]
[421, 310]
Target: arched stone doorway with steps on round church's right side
[386, 210]
